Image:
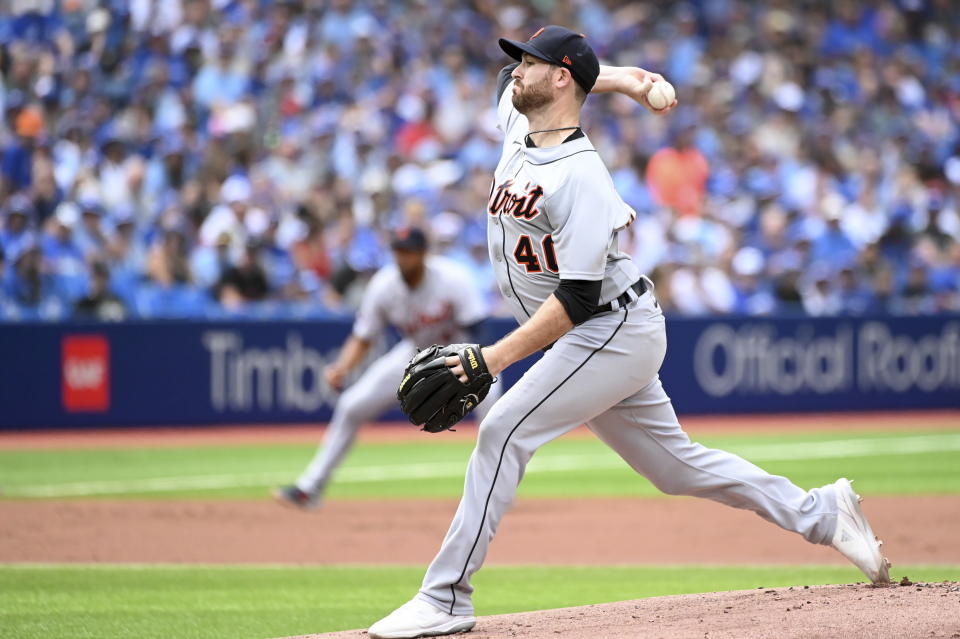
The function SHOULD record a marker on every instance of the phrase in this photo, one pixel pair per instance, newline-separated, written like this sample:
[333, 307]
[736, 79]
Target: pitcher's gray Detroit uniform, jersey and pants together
[554, 214]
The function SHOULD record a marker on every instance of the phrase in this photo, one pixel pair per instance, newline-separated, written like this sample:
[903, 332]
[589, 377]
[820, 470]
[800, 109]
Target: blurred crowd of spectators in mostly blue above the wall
[221, 158]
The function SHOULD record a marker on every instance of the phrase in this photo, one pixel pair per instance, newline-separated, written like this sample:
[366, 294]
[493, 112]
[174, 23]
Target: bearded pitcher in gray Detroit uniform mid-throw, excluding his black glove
[554, 219]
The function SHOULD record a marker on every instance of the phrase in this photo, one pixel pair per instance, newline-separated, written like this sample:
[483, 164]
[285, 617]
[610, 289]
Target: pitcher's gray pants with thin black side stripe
[604, 373]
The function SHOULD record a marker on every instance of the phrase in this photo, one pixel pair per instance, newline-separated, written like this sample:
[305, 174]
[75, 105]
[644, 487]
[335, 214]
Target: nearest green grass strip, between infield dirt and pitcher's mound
[203, 602]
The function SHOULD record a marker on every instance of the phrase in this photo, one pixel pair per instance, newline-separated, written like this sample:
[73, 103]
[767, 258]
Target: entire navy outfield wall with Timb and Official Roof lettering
[238, 372]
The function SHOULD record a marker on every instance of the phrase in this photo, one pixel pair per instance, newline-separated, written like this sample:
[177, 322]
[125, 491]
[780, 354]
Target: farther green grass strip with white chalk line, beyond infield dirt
[883, 463]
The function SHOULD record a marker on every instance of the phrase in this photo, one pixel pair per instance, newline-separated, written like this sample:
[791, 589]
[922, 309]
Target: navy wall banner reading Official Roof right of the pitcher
[813, 364]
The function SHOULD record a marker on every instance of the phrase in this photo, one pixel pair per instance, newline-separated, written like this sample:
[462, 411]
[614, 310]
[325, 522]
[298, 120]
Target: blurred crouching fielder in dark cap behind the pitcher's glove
[429, 299]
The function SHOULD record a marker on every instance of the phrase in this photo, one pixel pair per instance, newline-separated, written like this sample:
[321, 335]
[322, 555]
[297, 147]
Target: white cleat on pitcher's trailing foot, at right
[855, 539]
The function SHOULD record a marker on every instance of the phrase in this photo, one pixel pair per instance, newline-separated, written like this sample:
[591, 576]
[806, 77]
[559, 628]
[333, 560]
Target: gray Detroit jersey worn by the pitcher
[533, 236]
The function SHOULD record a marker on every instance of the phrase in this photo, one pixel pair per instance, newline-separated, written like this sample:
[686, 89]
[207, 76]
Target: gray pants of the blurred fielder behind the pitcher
[365, 400]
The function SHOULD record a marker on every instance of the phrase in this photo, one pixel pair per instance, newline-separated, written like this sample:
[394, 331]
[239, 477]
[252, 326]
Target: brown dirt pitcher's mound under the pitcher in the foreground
[823, 612]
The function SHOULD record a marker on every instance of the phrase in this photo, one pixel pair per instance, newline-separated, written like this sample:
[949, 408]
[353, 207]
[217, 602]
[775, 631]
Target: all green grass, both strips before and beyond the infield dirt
[106, 601]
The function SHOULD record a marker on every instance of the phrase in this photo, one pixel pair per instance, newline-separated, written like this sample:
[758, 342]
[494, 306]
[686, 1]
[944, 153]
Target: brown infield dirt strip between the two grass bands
[917, 529]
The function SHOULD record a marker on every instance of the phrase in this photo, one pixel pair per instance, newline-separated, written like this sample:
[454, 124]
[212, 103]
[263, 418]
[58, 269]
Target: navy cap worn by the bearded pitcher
[562, 47]
